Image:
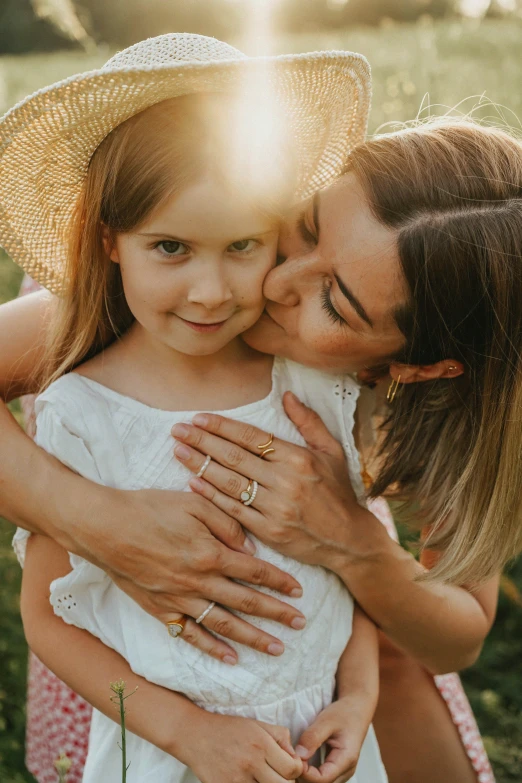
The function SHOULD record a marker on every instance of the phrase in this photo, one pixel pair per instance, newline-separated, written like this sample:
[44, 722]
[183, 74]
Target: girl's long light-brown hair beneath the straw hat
[139, 165]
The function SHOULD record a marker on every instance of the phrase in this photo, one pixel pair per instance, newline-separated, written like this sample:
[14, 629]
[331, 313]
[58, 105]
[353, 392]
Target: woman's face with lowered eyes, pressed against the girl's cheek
[331, 303]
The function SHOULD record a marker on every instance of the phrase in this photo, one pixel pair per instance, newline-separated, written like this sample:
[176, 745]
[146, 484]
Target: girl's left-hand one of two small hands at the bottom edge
[229, 749]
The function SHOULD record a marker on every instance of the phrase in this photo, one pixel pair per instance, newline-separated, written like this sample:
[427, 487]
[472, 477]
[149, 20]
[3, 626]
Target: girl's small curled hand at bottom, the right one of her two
[343, 727]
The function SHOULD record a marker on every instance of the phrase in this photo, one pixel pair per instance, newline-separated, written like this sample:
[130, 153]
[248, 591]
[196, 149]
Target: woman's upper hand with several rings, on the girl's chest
[305, 505]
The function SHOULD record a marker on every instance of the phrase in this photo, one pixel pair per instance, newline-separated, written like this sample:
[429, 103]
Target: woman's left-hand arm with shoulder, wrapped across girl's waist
[178, 556]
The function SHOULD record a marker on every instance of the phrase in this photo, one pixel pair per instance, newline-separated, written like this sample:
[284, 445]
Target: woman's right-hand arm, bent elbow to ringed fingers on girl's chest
[306, 508]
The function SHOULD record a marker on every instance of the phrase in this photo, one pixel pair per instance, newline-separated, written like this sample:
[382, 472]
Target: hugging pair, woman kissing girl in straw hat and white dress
[246, 341]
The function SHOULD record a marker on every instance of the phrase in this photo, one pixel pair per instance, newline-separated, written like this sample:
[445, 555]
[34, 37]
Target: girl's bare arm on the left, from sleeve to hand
[218, 747]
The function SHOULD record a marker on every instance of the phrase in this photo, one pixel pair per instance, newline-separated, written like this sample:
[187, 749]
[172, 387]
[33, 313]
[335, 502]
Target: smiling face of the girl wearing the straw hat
[193, 272]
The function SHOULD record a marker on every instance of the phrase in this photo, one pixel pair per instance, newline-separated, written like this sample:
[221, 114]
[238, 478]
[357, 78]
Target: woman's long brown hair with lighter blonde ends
[453, 193]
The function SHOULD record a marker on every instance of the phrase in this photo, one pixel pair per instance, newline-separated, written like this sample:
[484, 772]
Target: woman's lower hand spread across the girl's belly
[179, 556]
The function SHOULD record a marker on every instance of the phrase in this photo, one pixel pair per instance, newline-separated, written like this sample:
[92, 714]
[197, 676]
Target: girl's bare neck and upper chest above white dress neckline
[141, 367]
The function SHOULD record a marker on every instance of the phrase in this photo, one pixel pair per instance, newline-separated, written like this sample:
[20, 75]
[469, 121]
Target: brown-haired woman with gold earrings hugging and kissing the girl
[432, 193]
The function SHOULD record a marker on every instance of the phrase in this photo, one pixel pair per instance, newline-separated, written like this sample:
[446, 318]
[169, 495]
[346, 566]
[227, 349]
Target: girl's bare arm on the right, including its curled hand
[344, 724]
